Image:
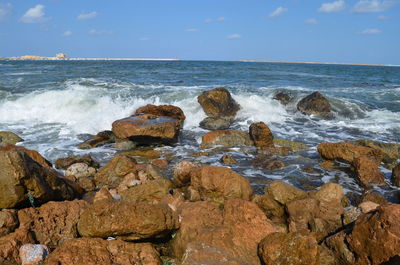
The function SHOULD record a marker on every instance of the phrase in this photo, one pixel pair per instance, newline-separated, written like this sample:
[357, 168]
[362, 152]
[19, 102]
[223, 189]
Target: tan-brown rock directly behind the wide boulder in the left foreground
[151, 192]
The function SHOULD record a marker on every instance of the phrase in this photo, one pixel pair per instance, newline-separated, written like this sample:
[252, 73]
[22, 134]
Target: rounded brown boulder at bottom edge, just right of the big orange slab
[289, 249]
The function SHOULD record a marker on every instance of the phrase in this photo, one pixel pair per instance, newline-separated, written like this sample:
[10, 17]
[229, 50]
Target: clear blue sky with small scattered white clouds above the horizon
[348, 31]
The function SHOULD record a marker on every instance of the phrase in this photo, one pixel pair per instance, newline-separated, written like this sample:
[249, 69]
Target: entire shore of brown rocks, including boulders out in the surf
[144, 207]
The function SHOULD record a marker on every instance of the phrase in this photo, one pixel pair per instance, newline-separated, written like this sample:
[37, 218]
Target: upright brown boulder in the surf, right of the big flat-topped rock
[218, 102]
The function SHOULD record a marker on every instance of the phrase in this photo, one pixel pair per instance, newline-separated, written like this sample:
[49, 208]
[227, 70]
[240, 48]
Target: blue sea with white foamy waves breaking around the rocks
[54, 104]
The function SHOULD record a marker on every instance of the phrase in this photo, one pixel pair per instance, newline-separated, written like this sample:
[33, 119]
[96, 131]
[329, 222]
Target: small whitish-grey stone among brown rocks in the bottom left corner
[31, 254]
